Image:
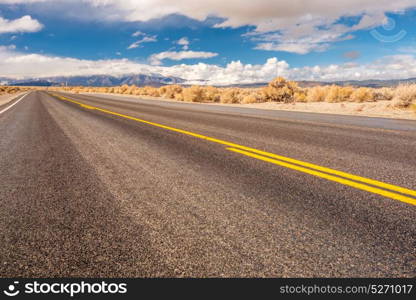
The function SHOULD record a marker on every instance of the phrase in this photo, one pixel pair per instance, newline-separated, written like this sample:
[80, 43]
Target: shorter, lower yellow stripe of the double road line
[343, 181]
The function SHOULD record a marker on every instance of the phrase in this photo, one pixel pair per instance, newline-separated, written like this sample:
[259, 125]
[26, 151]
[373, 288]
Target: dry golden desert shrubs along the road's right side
[278, 90]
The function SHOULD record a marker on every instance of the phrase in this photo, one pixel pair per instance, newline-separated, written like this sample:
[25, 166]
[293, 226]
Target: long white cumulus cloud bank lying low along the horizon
[15, 64]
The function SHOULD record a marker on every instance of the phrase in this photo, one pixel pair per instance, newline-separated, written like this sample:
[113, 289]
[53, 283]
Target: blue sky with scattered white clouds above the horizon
[236, 42]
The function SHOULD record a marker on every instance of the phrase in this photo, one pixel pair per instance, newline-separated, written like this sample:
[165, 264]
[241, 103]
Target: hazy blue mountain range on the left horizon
[96, 80]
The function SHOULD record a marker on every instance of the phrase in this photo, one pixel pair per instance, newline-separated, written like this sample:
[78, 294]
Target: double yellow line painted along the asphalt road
[362, 183]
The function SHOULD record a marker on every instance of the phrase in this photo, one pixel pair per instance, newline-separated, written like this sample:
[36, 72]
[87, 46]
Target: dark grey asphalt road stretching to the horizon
[98, 191]
